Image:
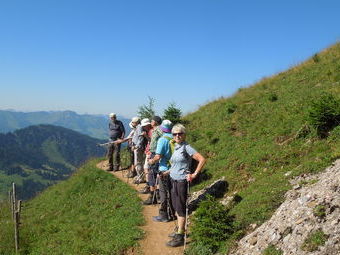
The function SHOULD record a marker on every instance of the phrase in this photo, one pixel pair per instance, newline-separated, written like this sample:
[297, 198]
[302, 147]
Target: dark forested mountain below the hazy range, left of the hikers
[38, 156]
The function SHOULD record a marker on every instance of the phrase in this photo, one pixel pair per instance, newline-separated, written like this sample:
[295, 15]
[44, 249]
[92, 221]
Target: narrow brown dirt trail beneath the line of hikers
[156, 233]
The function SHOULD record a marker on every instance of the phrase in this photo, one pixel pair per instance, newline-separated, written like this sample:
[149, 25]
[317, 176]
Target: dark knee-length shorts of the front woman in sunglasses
[179, 194]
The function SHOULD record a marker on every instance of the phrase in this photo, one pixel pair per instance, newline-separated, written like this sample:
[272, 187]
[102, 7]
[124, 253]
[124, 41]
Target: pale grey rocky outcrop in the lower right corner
[313, 204]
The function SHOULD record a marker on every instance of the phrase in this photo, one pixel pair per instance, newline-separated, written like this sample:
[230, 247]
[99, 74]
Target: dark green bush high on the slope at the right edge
[324, 114]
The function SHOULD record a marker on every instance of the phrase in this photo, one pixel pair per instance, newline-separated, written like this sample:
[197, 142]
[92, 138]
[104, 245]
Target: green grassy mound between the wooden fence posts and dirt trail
[90, 213]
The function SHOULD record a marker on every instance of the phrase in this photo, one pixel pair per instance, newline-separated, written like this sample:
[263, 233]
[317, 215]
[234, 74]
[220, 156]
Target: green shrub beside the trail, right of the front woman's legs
[212, 224]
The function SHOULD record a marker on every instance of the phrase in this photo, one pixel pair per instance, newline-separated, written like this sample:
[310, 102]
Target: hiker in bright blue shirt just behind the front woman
[163, 154]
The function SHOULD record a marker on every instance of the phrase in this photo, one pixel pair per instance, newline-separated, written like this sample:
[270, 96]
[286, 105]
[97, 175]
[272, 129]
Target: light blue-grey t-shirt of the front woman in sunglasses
[181, 160]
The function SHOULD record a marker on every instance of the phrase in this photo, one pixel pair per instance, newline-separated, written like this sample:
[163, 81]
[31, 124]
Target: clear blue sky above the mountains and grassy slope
[108, 56]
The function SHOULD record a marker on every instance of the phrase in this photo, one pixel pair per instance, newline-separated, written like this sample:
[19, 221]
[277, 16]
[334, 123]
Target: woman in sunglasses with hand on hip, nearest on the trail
[181, 177]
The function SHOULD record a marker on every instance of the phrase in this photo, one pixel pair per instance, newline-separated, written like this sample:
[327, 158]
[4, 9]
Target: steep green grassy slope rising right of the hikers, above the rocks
[260, 137]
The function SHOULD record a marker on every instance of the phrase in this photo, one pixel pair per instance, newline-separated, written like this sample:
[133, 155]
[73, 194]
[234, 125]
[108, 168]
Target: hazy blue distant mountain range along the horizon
[92, 125]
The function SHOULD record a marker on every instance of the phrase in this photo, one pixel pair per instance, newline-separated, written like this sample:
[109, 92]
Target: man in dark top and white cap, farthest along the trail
[116, 131]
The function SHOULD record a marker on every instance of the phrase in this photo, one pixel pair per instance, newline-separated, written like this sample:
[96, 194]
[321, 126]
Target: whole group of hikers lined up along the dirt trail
[161, 158]
